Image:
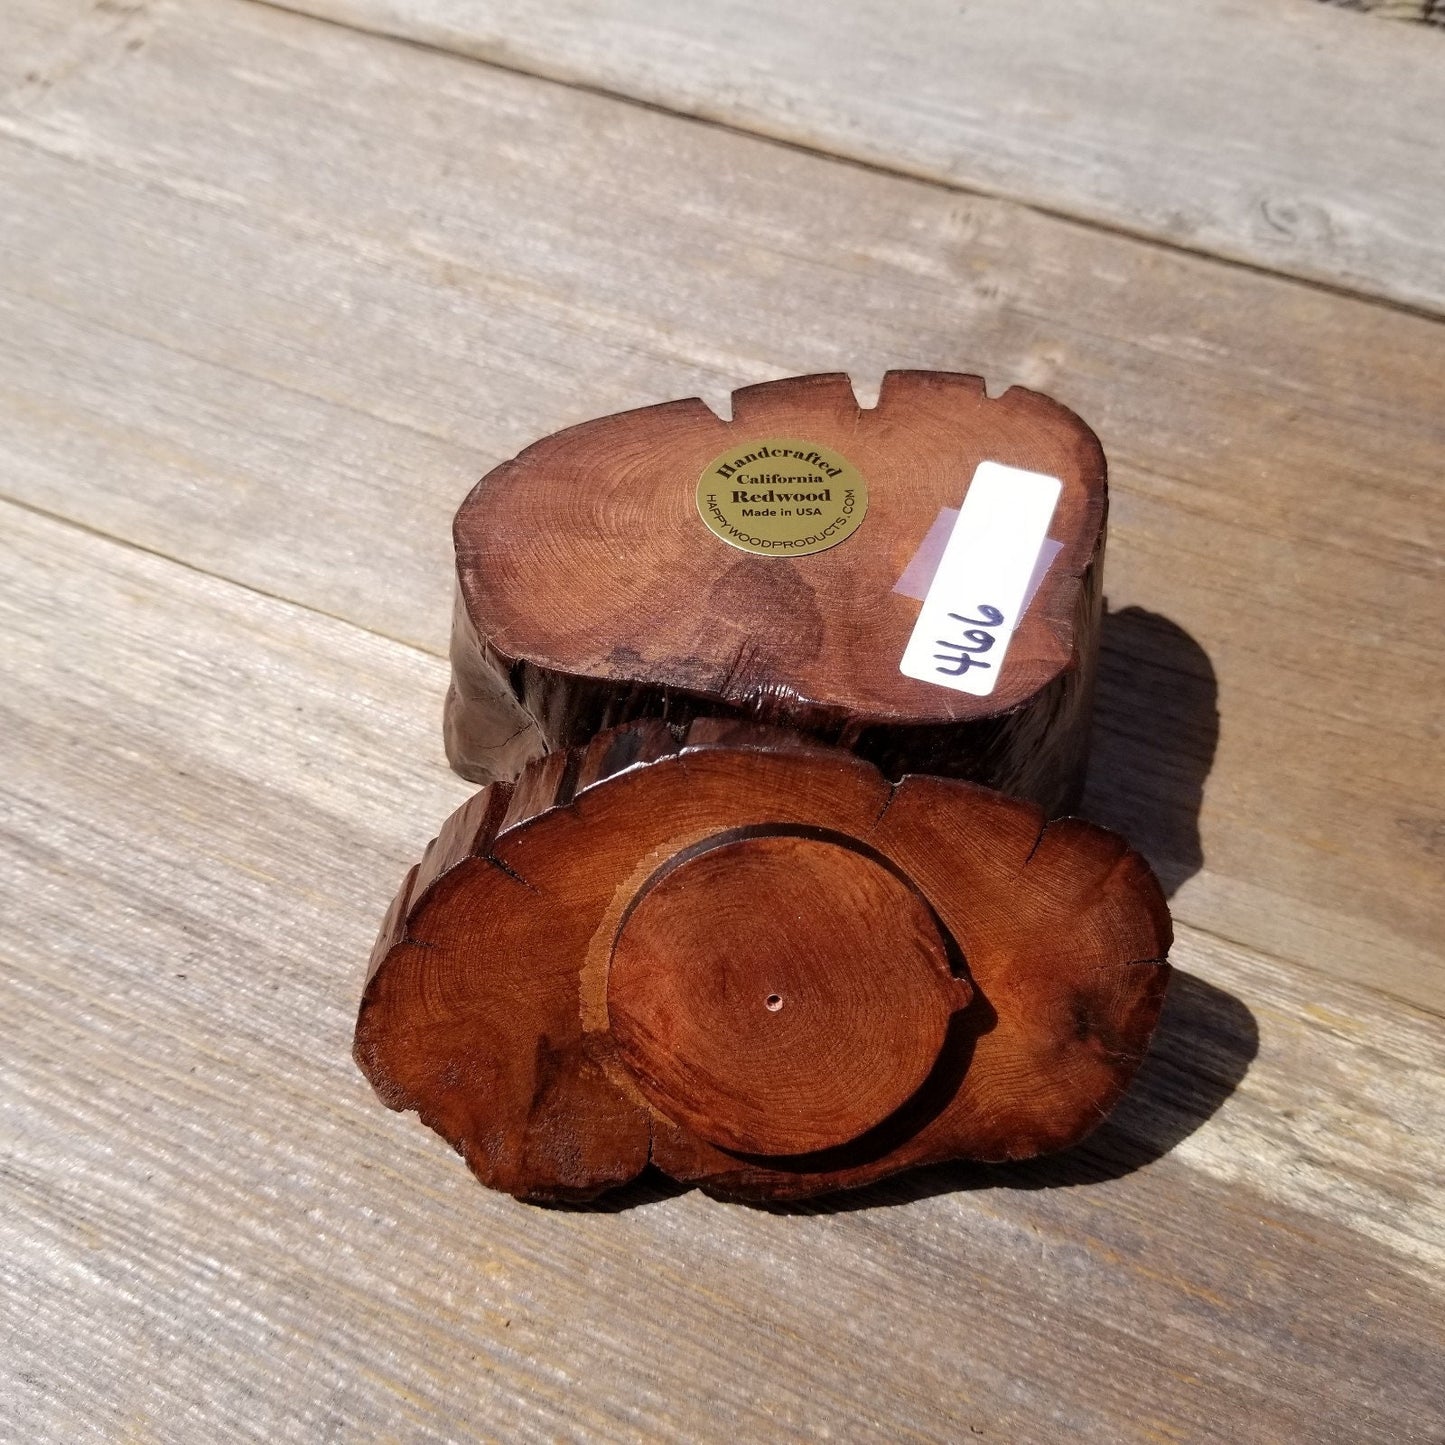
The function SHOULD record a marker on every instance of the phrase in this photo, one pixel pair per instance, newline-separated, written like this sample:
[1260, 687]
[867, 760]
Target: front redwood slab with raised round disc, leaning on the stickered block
[761, 966]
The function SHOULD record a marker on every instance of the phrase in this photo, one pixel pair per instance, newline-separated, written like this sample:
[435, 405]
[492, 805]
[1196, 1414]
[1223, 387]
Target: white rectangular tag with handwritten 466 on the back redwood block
[983, 580]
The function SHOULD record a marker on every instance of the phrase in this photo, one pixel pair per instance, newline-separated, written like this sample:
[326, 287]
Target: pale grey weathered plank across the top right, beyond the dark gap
[1278, 134]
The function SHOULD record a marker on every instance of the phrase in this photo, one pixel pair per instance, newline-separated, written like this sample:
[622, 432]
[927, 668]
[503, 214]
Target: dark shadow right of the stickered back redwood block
[1157, 725]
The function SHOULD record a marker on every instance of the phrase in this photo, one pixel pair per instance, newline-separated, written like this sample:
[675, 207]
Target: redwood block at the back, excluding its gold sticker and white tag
[592, 593]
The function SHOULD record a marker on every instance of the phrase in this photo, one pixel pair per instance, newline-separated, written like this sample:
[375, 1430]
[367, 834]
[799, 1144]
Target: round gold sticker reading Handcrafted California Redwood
[782, 498]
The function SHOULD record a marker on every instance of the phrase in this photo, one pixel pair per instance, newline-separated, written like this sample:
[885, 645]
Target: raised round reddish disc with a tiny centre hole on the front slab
[780, 993]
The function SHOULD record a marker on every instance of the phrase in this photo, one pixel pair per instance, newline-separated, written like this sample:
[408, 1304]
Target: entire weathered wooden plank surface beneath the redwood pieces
[280, 282]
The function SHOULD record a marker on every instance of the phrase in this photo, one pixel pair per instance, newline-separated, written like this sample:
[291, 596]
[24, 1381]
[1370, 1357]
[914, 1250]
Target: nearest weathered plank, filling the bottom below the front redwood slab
[213, 1232]
